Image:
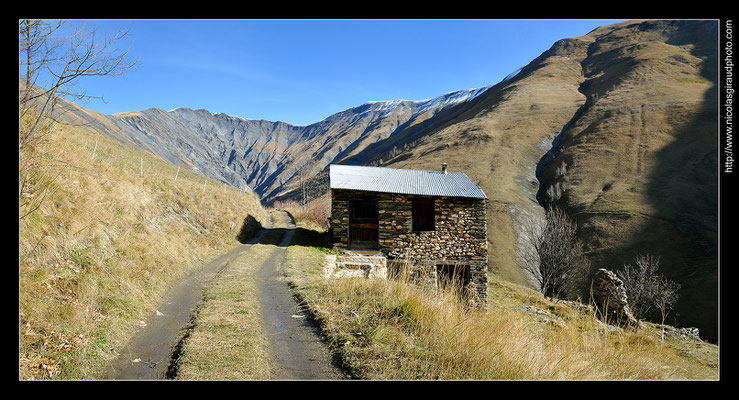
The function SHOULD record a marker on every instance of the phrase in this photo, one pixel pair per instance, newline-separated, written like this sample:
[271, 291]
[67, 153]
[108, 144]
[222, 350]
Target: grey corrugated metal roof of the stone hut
[403, 181]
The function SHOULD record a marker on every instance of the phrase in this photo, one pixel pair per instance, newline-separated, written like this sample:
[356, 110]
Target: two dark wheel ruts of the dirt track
[296, 350]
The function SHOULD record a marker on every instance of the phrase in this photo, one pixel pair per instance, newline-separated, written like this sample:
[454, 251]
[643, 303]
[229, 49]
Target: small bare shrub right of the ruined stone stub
[649, 292]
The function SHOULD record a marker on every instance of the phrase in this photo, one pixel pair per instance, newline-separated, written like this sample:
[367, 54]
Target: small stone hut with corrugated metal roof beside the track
[433, 221]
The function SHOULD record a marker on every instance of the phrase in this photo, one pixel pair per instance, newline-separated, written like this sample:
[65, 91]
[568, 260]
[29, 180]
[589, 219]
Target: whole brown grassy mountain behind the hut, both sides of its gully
[632, 107]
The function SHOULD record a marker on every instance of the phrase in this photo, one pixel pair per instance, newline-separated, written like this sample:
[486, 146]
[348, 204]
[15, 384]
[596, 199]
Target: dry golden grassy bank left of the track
[97, 255]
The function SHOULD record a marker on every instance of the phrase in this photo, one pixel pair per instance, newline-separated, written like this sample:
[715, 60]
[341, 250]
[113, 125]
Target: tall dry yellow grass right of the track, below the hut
[391, 330]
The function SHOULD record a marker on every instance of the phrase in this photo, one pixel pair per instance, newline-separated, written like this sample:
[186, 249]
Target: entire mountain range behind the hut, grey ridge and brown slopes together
[618, 126]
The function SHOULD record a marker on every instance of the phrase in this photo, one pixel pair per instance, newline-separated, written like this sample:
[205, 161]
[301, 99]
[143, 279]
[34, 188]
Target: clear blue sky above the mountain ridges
[302, 71]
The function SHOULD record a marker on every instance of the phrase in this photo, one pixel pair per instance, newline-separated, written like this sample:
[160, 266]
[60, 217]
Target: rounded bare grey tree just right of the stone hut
[553, 255]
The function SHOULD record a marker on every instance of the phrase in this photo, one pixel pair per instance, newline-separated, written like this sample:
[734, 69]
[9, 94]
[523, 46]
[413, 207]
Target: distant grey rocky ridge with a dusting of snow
[268, 157]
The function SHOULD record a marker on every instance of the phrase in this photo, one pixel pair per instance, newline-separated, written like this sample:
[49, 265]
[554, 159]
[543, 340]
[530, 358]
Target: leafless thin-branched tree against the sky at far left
[52, 58]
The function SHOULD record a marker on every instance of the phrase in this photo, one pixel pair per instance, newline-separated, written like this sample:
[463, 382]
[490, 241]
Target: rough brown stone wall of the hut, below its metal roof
[460, 234]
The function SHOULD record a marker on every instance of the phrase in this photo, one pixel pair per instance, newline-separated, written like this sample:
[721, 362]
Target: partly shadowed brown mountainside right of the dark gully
[642, 157]
